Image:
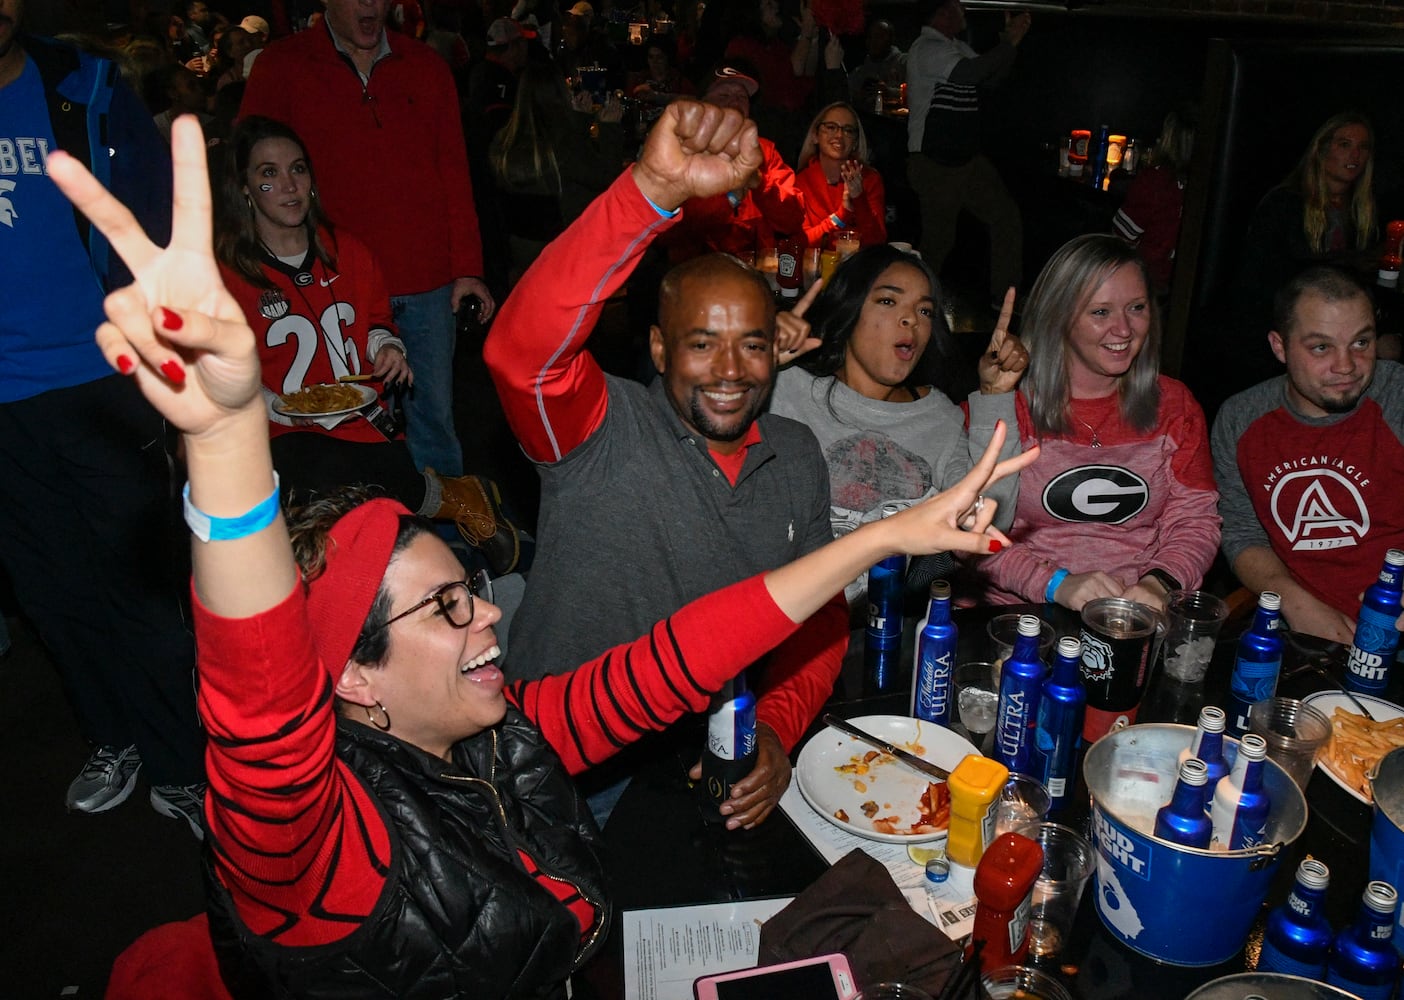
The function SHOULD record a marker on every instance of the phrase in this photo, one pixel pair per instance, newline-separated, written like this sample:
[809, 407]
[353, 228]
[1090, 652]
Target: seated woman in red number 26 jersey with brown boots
[321, 312]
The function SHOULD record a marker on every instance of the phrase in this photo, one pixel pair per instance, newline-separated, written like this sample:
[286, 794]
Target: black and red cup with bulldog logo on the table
[1120, 644]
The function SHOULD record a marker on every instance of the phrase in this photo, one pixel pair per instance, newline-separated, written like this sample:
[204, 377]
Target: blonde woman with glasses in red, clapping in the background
[842, 192]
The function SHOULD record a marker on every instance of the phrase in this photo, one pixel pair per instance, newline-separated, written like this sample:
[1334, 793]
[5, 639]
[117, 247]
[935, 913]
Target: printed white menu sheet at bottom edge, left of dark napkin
[668, 949]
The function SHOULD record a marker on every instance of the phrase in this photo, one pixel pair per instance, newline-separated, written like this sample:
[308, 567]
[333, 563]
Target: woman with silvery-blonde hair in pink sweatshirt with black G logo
[1122, 499]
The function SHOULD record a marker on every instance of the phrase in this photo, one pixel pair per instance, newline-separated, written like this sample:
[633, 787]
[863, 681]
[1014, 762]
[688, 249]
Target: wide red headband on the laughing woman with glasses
[357, 554]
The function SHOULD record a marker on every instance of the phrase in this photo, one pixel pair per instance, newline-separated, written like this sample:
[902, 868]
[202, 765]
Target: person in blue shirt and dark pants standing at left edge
[88, 511]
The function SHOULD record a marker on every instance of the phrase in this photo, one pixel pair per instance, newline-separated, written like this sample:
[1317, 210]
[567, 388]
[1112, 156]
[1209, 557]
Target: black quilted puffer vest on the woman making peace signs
[458, 916]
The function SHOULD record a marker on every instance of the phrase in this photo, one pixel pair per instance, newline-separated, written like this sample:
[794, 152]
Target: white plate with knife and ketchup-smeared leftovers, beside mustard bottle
[895, 787]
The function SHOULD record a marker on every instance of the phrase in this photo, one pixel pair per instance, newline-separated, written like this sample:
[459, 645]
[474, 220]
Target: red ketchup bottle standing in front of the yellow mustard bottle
[1005, 888]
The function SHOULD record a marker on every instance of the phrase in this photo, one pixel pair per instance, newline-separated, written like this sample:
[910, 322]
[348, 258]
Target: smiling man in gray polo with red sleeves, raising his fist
[655, 496]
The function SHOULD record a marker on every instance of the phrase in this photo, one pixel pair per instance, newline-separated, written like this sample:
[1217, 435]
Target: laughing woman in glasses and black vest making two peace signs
[387, 817]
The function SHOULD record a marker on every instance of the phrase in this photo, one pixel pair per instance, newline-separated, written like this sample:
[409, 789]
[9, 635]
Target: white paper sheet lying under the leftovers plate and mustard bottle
[955, 911]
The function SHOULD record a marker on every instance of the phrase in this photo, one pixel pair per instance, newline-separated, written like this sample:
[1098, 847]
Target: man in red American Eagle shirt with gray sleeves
[1311, 466]
